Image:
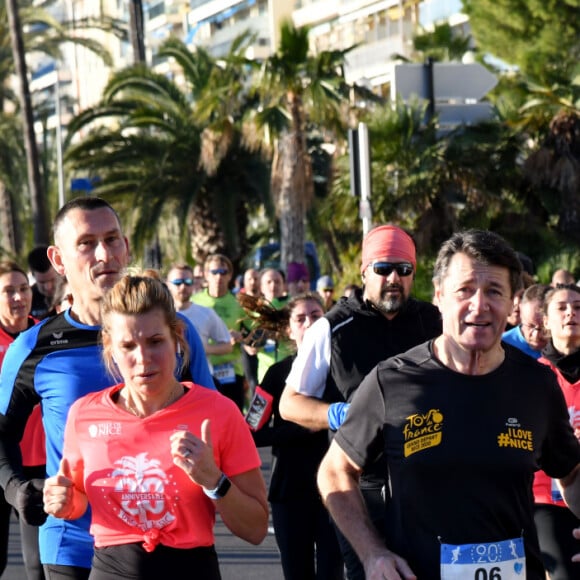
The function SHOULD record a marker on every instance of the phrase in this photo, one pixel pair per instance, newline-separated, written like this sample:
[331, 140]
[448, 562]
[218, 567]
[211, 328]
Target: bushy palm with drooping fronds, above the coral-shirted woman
[152, 158]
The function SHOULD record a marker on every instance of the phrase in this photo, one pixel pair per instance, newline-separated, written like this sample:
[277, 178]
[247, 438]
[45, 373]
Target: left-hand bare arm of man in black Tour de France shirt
[338, 482]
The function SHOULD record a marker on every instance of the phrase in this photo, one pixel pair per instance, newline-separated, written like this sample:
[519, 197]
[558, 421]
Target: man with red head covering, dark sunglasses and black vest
[376, 322]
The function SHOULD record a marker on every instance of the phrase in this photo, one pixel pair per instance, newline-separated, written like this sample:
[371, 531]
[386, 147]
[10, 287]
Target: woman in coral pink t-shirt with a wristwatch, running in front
[155, 458]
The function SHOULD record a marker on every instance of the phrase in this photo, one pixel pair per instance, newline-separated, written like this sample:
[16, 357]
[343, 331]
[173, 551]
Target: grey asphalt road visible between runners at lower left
[238, 559]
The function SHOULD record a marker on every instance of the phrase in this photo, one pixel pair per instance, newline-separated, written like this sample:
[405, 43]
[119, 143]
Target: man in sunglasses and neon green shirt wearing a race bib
[227, 368]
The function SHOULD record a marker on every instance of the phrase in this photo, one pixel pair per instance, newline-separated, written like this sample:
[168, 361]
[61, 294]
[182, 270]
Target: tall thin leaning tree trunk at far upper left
[37, 197]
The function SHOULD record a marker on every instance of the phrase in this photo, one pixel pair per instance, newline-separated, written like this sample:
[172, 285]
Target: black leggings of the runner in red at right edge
[557, 545]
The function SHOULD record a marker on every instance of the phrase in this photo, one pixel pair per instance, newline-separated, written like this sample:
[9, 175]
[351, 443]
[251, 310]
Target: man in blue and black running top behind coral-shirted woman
[58, 361]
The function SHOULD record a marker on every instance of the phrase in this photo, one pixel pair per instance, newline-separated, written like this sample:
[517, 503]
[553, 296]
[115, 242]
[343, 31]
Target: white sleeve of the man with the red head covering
[312, 363]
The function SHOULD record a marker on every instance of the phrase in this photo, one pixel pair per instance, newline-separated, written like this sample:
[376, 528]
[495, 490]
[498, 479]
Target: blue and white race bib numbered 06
[489, 561]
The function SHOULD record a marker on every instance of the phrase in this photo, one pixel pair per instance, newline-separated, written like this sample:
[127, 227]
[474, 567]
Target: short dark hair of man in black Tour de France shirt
[484, 247]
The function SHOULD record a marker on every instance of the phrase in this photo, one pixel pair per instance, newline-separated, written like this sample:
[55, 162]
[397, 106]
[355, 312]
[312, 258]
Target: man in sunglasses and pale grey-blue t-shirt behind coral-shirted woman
[211, 328]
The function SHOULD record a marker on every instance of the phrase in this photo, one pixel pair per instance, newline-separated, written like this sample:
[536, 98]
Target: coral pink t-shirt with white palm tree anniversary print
[124, 465]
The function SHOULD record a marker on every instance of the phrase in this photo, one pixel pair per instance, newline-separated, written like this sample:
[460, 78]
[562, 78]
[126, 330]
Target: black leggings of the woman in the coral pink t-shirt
[132, 562]
